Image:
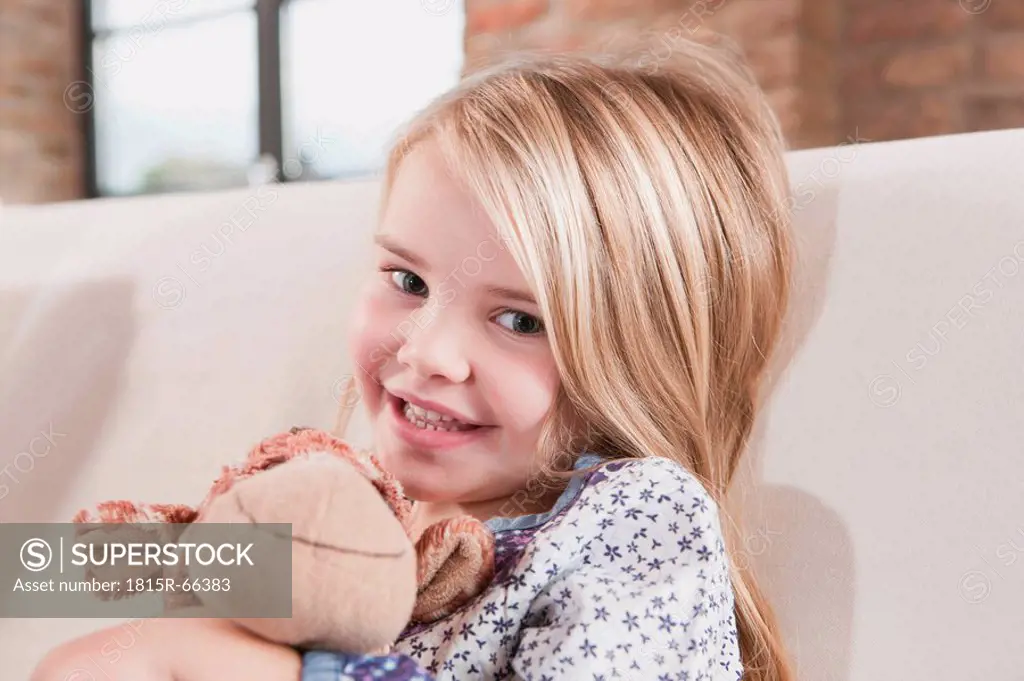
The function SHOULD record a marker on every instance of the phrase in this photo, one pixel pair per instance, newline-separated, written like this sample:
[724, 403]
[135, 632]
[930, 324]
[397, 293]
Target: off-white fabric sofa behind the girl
[884, 487]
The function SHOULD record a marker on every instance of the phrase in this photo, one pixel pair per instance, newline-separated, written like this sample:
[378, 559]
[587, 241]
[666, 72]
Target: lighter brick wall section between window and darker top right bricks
[772, 33]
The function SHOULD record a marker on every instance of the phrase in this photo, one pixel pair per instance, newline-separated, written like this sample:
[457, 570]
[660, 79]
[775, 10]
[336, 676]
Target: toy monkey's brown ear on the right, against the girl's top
[456, 562]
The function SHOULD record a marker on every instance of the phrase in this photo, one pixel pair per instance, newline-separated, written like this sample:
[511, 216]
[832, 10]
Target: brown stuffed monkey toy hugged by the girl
[358, 577]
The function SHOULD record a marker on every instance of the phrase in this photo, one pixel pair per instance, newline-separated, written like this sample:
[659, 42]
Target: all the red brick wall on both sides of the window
[833, 69]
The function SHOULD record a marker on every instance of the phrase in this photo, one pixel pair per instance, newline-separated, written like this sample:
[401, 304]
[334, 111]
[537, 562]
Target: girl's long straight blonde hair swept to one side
[648, 210]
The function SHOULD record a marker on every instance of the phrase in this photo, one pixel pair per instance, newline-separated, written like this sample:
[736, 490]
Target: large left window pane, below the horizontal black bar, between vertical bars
[179, 111]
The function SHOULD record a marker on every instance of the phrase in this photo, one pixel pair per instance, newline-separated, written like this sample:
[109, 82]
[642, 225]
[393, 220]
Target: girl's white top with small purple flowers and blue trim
[626, 578]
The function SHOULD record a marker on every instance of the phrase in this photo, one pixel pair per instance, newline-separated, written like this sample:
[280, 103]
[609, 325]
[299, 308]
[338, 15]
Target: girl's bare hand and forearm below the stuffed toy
[170, 650]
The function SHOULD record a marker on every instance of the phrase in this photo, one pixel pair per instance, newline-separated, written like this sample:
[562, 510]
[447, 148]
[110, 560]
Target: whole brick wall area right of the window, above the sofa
[833, 69]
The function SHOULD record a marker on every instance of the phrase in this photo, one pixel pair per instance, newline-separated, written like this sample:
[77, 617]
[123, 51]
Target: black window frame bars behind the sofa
[269, 91]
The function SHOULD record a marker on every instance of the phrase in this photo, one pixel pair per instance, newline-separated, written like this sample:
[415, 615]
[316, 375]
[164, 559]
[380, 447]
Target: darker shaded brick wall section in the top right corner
[931, 67]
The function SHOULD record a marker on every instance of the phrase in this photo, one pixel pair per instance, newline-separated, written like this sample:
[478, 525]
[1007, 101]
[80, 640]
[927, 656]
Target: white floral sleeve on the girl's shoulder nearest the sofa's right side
[649, 594]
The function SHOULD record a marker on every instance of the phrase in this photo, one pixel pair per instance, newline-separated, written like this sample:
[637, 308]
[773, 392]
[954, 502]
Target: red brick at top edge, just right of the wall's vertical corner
[908, 20]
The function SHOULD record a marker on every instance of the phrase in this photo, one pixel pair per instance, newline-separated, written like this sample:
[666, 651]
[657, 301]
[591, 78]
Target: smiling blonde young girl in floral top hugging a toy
[582, 272]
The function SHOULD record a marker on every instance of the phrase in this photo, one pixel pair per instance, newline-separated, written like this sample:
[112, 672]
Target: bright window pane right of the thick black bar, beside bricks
[354, 72]
